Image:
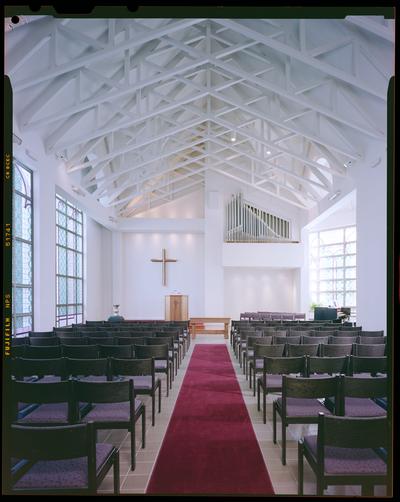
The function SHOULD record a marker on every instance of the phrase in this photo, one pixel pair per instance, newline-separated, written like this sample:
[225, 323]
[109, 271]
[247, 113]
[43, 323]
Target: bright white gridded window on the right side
[332, 263]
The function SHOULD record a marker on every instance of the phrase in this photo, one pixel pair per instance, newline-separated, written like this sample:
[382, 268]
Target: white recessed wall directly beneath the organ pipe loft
[252, 289]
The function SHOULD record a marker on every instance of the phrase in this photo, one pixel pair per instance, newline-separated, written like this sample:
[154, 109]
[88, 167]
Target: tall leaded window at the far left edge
[22, 256]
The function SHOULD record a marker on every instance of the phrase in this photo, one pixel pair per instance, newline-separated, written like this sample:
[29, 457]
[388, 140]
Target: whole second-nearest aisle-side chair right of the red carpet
[301, 402]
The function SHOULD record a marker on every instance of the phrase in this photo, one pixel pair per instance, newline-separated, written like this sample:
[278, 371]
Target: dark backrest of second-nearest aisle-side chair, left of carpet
[117, 391]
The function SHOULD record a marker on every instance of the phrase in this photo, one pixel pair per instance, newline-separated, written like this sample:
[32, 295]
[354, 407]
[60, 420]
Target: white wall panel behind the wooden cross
[143, 294]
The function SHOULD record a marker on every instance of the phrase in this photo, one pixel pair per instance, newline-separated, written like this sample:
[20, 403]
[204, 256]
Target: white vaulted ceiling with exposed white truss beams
[142, 108]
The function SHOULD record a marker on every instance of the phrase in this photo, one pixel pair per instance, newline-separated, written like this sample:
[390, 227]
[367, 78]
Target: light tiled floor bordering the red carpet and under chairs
[284, 478]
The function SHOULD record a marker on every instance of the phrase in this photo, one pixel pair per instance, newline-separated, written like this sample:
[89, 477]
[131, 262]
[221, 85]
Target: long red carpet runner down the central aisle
[210, 446]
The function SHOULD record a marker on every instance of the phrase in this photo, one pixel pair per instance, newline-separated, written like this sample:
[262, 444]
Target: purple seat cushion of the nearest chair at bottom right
[348, 460]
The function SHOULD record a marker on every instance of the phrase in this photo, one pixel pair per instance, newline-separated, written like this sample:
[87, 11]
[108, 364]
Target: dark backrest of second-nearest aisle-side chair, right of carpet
[309, 388]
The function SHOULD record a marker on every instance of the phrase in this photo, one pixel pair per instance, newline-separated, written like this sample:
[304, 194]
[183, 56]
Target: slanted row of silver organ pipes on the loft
[246, 223]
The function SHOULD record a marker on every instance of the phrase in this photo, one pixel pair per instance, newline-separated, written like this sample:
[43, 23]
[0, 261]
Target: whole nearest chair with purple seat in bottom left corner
[60, 460]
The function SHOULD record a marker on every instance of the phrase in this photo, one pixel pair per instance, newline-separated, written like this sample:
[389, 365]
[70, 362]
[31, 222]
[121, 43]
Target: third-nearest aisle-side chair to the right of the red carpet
[271, 379]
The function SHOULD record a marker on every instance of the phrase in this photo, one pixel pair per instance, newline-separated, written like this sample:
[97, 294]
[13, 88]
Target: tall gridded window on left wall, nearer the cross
[69, 285]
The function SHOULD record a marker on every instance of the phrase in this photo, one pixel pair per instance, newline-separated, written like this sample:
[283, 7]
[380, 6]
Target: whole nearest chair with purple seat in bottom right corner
[346, 451]
